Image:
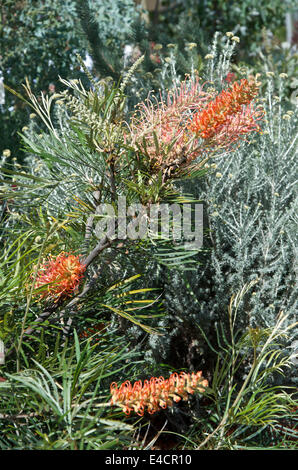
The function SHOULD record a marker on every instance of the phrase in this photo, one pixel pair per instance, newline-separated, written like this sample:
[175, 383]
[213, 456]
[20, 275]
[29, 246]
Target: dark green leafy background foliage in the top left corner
[38, 40]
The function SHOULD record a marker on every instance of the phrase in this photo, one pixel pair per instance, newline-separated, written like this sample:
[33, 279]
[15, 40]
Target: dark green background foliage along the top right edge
[196, 21]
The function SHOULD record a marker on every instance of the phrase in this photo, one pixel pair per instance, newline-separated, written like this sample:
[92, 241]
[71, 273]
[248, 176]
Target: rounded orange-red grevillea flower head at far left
[59, 276]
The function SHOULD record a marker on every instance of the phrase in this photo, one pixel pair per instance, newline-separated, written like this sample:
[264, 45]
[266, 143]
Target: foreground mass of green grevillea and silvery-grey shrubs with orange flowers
[83, 309]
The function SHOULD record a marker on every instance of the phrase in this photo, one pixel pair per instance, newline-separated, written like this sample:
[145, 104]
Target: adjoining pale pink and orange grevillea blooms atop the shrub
[191, 123]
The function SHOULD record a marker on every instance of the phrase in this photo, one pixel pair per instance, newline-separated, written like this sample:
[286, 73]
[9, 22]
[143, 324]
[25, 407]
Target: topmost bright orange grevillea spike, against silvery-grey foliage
[226, 109]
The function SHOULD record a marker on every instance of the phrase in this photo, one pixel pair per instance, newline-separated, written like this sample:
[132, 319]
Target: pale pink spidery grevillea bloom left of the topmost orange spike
[158, 129]
